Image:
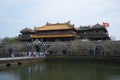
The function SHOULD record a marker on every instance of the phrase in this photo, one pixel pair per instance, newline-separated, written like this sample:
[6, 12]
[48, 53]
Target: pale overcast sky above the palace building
[18, 14]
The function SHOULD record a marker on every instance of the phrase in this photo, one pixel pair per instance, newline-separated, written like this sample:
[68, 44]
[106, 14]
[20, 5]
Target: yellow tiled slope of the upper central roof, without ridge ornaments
[54, 27]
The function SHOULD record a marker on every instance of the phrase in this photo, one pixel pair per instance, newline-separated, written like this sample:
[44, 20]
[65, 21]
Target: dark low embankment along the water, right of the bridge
[86, 59]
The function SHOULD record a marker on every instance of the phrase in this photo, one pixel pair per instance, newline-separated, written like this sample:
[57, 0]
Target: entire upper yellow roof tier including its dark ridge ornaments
[57, 26]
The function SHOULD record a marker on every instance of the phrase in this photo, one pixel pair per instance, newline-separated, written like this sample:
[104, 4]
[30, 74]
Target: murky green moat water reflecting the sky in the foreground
[61, 71]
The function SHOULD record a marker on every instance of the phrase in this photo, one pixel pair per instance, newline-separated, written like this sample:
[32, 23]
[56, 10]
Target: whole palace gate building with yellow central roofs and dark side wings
[64, 32]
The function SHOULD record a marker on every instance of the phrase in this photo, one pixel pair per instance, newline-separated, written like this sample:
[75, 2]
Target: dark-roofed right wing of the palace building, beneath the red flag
[95, 32]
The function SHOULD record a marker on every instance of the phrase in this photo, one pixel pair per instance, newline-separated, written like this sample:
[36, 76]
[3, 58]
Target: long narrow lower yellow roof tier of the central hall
[53, 36]
